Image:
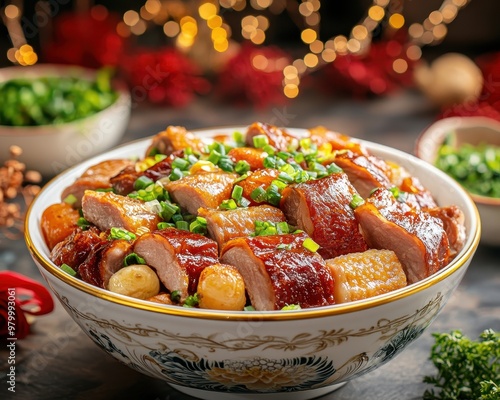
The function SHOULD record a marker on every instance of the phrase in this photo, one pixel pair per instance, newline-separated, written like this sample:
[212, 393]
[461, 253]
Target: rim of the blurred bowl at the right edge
[461, 122]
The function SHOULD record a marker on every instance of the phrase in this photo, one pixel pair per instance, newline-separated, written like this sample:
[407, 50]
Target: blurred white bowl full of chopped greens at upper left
[50, 149]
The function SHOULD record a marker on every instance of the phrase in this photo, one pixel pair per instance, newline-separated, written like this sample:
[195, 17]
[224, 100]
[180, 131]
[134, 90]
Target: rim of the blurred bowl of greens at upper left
[119, 86]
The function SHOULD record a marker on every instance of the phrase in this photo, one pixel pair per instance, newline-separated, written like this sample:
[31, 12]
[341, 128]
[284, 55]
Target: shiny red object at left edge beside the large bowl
[20, 295]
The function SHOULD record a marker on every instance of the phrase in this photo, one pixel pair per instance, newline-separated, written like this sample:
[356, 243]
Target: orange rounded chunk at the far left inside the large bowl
[58, 221]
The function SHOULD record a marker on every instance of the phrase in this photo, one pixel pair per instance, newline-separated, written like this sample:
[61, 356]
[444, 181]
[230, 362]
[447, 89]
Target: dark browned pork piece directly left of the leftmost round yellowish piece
[103, 261]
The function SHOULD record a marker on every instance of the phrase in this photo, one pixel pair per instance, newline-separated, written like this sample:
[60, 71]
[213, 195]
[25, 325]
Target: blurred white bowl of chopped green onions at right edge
[473, 130]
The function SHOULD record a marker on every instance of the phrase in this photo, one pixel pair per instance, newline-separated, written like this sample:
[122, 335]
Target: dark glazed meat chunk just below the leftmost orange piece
[74, 250]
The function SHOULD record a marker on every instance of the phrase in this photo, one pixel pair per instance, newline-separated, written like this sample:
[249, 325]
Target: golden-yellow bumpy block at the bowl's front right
[362, 275]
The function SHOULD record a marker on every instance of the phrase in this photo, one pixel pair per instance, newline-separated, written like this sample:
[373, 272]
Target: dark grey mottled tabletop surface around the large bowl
[57, 361]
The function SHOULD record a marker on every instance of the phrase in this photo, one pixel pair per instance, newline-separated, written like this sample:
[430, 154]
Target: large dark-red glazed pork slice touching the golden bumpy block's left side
[278, 271]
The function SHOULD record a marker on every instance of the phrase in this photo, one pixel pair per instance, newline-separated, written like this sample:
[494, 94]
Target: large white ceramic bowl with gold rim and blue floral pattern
[274, 355]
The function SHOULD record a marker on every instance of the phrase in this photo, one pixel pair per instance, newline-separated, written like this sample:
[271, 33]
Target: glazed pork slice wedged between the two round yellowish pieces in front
[178, 257]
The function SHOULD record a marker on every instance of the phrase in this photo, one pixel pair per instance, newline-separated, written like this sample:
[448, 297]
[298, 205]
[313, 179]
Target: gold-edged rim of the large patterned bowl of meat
[337, 309]
